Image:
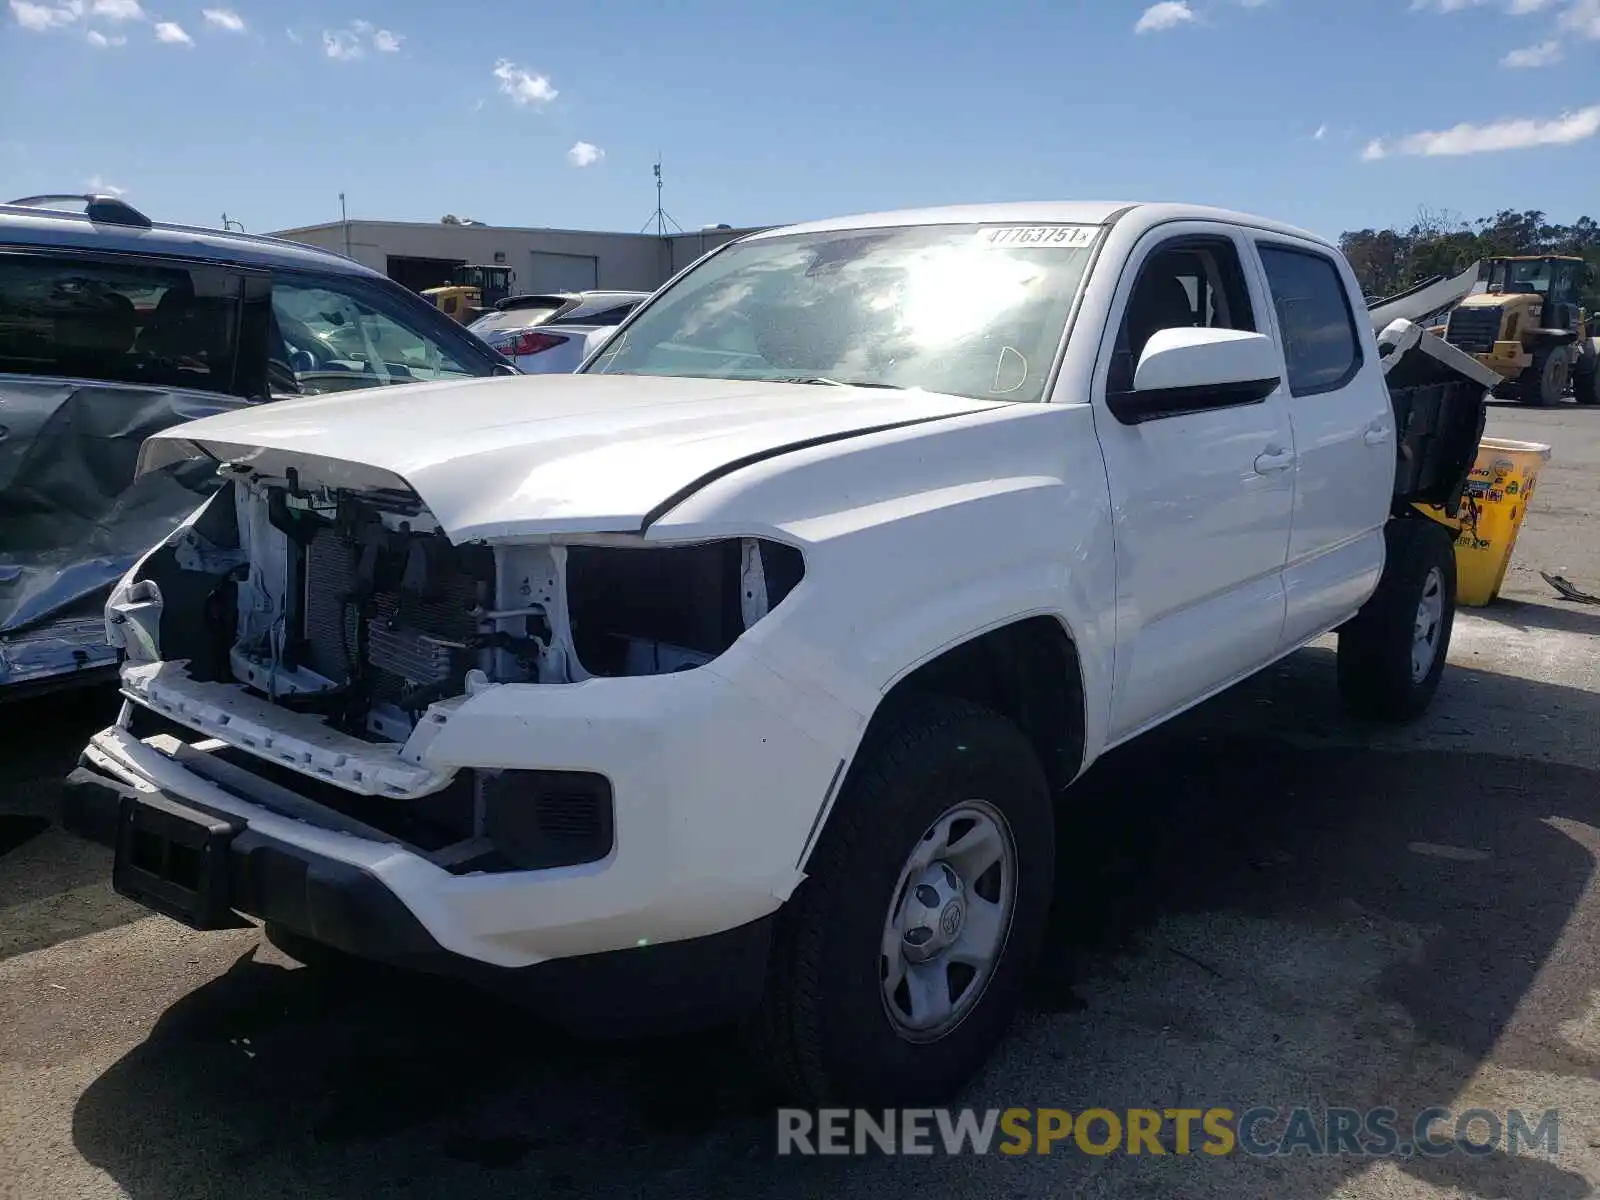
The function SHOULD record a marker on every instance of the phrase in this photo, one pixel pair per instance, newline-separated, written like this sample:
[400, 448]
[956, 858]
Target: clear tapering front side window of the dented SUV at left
[334, 335]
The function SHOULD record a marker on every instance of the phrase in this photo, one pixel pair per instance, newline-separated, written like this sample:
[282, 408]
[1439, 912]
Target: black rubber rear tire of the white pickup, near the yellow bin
[1377, 674]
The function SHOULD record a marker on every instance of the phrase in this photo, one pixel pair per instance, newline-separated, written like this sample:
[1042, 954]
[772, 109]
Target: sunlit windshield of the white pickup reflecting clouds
[964, 310]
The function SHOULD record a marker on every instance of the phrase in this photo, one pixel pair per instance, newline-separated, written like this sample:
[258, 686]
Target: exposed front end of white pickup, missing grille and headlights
[321, 636]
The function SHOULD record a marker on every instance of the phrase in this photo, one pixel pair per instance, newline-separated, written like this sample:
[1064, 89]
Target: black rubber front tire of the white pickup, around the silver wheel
[823, 1030]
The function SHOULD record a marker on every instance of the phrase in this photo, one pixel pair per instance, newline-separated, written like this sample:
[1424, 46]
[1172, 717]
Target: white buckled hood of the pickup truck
[534, 455]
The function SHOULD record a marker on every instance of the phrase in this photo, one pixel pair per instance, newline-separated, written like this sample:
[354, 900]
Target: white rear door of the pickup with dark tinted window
[1345, 433]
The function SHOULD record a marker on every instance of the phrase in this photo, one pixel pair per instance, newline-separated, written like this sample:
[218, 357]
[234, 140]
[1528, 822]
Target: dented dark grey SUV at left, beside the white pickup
[114, 327]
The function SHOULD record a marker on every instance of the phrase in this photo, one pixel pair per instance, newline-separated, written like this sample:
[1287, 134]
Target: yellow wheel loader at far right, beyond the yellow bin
[1530, 329]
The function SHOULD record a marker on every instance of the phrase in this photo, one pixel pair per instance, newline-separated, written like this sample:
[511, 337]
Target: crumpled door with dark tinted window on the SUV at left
[100, 351]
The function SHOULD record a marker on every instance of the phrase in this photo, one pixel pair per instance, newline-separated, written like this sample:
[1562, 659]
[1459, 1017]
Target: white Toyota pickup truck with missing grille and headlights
[742, 674]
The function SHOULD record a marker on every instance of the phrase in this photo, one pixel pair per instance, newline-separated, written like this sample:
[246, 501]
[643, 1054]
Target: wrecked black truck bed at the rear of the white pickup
[1441, 404]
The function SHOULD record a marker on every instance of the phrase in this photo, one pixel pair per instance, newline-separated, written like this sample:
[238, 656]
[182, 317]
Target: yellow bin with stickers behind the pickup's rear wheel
[1500, 490]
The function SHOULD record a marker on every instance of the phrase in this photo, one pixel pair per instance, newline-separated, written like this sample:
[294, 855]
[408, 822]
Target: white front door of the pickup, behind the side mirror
[1201, 498]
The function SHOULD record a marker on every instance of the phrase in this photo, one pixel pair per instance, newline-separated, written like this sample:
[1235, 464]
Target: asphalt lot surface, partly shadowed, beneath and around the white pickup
[1260, 905]
